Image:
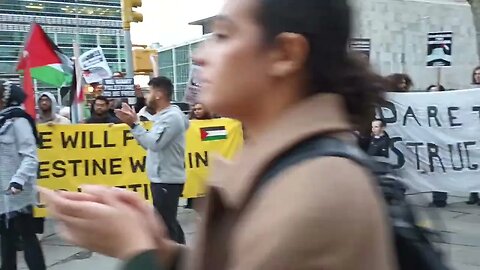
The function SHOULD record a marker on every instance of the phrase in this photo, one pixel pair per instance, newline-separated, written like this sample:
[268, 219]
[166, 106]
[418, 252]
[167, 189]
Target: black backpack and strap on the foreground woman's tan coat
[414, 248]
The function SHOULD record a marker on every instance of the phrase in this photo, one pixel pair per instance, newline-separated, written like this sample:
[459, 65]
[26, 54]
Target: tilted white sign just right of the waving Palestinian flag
[95, 66]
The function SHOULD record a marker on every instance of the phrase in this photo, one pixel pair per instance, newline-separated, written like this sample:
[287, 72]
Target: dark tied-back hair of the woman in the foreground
[326, 25]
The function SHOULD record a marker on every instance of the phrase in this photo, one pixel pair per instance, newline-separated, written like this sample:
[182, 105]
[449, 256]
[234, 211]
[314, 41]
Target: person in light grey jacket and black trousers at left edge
[18, 174]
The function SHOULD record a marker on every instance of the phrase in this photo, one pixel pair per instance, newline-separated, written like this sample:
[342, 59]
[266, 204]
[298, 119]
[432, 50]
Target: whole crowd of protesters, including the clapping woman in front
[283, 71]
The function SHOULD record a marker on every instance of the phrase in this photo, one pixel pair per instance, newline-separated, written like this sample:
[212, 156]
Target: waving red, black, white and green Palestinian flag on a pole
[44, 59]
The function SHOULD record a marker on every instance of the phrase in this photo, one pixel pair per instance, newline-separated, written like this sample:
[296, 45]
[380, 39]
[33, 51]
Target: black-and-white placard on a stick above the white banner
[439, 49]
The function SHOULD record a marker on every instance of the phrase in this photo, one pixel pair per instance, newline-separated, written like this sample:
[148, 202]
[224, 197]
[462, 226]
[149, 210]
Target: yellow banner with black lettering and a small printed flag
[75, 155]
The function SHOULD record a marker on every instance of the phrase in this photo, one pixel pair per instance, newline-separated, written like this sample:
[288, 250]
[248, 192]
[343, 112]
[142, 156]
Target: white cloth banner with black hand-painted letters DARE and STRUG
[435, 139]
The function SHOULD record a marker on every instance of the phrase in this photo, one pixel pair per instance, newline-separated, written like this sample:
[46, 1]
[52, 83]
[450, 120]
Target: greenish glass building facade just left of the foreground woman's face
[174, 62]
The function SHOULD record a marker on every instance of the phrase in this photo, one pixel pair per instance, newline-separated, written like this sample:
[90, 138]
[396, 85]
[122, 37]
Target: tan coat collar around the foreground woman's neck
[322, 113]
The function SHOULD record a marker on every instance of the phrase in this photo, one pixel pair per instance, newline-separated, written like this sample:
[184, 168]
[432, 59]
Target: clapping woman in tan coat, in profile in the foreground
[280, 67]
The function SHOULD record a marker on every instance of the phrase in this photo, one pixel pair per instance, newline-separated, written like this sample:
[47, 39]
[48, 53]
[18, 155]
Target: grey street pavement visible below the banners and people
[458, 224]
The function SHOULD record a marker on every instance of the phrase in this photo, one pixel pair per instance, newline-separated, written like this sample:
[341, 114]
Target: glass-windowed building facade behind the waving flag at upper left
[91, 22]
